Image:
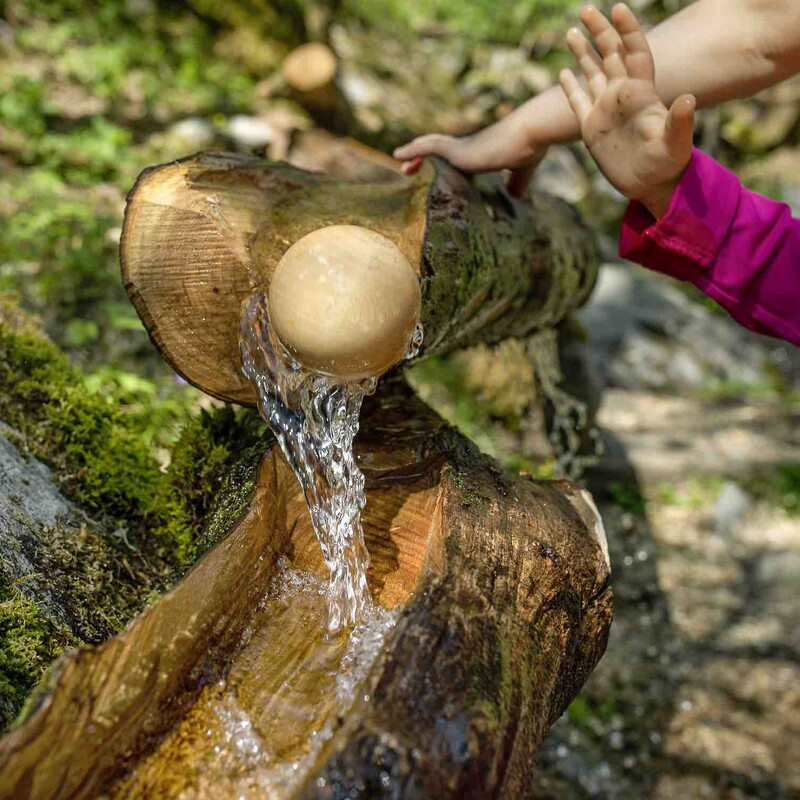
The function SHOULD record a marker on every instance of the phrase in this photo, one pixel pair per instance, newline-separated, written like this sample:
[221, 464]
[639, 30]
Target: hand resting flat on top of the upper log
[484, 151]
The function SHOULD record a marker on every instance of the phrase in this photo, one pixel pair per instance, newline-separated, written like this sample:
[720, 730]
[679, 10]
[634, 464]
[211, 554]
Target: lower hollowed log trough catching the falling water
[501, 587]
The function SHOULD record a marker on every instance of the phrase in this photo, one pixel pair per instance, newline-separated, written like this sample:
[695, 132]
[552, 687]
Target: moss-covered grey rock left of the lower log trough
[89, 539]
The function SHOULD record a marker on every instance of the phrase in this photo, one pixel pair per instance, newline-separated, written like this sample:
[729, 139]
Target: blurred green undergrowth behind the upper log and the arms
[91, 93]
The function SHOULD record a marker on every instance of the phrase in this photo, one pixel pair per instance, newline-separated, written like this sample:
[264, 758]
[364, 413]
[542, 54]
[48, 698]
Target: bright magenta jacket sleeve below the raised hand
[736, 246]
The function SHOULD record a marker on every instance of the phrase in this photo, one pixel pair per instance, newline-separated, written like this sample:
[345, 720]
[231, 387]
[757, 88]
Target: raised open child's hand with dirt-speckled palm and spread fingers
[639, 145]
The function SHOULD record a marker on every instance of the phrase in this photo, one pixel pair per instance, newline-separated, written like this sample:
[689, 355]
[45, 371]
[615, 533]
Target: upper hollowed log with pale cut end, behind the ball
[200, 234]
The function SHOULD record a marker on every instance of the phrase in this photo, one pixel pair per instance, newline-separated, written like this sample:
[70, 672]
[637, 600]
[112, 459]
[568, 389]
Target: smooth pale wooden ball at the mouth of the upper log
[344, 302]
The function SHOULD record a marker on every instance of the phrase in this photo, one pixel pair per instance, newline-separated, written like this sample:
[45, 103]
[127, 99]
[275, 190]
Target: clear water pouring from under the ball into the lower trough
[315, 419]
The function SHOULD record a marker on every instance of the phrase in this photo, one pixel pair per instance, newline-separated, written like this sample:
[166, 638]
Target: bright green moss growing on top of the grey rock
[95, 444]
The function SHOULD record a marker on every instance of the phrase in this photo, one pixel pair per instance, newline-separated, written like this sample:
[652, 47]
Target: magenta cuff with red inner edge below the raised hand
[695, 226]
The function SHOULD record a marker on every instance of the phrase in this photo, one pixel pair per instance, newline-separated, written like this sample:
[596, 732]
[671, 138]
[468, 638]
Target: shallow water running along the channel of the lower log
[259, 730]
